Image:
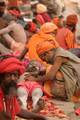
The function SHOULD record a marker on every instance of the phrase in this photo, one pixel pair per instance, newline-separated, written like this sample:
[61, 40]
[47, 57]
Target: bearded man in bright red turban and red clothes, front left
[10, 70]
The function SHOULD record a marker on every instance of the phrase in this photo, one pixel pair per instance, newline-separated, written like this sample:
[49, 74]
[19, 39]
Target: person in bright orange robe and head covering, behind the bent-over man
[46, 33]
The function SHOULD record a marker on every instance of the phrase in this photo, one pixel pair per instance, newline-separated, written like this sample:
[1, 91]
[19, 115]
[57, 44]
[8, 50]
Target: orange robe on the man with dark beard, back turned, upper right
[65, 38]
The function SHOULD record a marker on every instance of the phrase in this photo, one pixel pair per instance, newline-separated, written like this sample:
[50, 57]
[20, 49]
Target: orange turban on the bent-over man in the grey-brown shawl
[45, 46]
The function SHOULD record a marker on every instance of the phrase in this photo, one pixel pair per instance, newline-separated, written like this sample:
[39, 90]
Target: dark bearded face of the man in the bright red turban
[10, 82]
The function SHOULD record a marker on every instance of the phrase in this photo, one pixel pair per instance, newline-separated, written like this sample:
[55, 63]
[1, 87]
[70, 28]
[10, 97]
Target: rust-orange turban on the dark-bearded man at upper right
[71, 19]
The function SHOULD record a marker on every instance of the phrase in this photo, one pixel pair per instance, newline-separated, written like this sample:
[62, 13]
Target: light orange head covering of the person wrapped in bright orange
[48, 27]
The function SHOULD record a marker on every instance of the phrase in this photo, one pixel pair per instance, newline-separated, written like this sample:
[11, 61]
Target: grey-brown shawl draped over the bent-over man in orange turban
[71, 71]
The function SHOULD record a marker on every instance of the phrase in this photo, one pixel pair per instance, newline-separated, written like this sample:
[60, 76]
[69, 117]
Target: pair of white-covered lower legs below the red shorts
[23, 96]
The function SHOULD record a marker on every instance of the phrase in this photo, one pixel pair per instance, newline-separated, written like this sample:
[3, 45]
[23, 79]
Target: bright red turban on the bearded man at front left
[11, 64]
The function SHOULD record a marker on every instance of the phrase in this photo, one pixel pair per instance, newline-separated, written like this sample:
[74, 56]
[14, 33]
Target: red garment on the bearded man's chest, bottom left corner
[11, 105]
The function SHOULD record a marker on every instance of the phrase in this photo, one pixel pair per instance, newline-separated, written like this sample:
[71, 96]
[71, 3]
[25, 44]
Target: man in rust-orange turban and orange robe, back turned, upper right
[66, 35]
